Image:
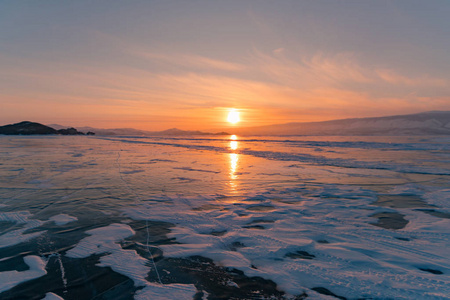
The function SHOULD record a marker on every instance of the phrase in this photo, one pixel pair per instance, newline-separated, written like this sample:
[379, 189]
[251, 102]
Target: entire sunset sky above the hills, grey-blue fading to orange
[155, 65]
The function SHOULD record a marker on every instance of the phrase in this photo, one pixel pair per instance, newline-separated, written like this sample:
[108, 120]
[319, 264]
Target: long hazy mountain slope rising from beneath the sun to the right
[426, 123]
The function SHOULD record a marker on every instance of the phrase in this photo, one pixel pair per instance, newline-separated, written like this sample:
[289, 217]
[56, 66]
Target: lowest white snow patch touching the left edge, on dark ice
[9, 279]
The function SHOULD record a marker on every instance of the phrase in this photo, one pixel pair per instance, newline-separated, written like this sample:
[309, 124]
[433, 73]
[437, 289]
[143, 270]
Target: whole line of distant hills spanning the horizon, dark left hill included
[426, 123]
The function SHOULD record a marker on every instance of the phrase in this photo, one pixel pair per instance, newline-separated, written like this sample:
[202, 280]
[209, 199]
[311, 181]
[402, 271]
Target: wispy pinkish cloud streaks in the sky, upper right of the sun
[341, 69]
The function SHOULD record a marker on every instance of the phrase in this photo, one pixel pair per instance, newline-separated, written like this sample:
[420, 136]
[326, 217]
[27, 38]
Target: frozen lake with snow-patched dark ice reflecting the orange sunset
[224, 217]
